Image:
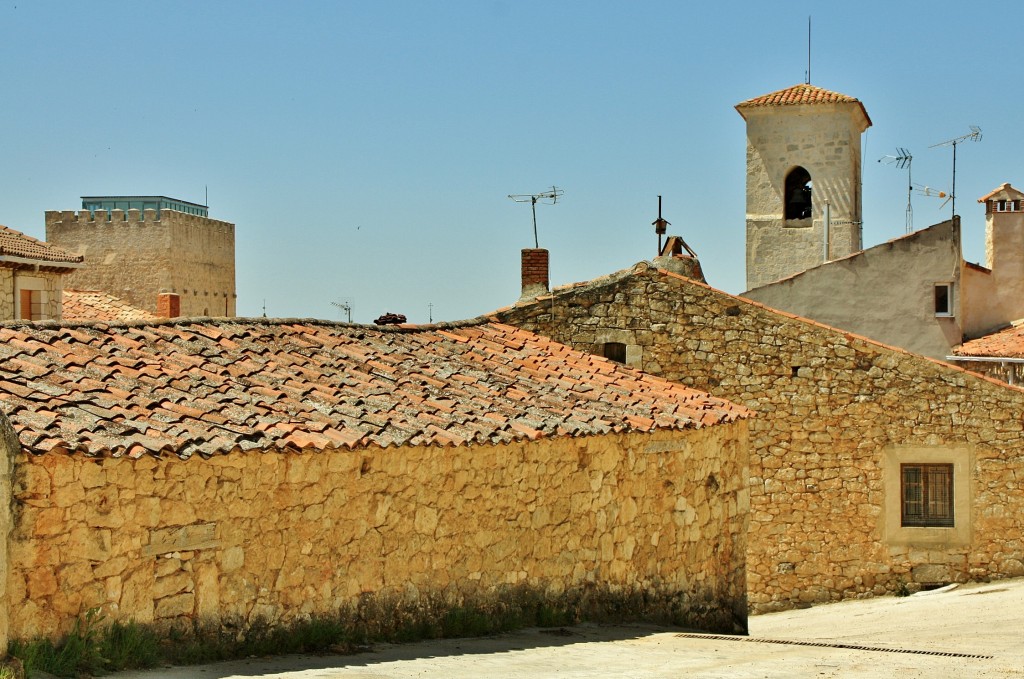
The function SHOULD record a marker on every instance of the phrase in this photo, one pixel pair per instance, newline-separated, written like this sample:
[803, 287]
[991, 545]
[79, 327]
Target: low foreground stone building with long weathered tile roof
[232, 472]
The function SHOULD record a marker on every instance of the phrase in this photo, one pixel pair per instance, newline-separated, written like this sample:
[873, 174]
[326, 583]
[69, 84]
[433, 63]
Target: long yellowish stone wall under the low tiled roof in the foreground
[283, 536]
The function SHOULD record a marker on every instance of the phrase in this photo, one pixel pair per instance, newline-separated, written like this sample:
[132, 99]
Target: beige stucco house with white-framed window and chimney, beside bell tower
[943, 300]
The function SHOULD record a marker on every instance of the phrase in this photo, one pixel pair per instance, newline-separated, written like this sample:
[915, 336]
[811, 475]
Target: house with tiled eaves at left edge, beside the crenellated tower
[31, 277]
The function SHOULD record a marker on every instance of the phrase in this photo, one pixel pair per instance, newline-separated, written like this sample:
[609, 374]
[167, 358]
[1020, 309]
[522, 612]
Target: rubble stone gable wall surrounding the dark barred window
[836, 413]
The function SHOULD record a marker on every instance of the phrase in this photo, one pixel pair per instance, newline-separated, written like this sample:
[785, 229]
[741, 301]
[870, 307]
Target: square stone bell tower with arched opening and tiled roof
[803, 163]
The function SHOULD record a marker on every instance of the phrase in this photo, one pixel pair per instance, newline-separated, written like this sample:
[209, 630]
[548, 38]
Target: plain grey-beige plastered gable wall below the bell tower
[845, 293]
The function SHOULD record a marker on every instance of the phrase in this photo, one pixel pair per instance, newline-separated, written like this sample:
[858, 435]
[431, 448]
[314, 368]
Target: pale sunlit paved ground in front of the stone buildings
[967, 631]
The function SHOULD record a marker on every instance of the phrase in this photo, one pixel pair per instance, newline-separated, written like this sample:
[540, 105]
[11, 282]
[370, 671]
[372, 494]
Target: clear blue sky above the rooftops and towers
[365, 150]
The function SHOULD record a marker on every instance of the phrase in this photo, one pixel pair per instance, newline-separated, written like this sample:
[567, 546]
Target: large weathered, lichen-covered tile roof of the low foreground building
[183, 388]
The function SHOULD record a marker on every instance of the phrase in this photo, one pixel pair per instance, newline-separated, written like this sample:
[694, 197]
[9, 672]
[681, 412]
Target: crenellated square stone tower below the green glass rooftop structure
[136, 257]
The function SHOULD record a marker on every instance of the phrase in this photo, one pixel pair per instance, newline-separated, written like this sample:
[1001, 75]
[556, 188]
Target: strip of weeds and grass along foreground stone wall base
[95, 649]
